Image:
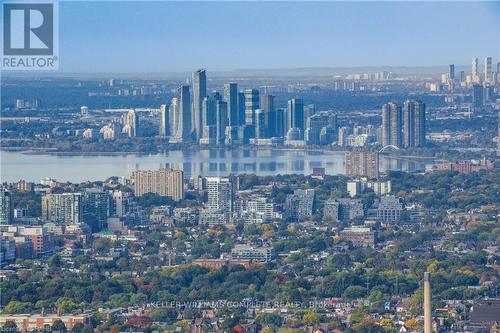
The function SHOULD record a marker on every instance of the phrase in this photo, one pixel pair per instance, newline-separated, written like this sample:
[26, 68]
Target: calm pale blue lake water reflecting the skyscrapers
[209, 162]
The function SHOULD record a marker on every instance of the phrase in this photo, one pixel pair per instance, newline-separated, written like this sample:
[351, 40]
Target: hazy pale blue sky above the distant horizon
[132, 37]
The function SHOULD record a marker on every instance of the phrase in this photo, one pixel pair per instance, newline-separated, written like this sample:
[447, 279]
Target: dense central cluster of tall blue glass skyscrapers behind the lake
[233, 116]
